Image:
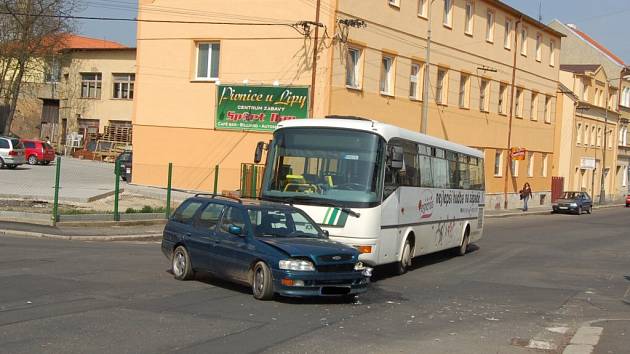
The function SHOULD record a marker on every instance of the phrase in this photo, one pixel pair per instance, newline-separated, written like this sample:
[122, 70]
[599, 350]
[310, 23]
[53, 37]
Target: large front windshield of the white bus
[324, 165]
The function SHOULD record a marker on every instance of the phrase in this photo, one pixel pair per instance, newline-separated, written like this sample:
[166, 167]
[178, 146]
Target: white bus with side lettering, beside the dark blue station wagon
[392, 193]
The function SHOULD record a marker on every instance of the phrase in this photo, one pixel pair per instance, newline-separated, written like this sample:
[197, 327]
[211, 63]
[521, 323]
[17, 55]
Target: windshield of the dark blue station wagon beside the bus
[283, 223]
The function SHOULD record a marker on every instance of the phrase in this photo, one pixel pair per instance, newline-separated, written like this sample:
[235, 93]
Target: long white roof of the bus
[387, 131]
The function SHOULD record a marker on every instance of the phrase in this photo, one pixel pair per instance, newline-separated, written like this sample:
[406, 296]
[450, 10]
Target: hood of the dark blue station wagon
[310, 247]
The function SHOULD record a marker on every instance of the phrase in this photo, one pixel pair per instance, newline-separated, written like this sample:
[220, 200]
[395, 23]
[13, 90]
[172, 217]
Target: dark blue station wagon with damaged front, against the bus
[274, 248]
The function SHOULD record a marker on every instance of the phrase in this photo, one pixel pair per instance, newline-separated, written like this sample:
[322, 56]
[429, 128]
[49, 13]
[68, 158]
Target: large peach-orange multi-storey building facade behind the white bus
[371, 60]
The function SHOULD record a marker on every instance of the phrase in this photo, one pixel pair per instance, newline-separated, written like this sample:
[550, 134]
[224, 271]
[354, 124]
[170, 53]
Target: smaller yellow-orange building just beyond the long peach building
[586, 137]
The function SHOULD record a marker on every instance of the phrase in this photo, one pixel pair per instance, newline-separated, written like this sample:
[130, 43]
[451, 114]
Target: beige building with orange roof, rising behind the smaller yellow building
[578, 48]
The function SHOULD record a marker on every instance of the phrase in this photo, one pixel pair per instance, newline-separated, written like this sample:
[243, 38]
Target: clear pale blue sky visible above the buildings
[604, 20]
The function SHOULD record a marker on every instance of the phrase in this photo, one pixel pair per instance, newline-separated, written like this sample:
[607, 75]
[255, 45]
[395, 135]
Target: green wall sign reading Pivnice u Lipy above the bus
[259, 108]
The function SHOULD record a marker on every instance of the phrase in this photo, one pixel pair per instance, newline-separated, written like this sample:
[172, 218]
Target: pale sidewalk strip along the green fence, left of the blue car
[84, 233]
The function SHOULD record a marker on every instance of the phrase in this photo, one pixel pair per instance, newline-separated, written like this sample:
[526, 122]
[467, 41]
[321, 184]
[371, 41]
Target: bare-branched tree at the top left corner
[30, 32]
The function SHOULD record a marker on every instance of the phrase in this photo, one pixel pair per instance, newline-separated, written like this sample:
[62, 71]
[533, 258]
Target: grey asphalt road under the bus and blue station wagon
[531, 281]
